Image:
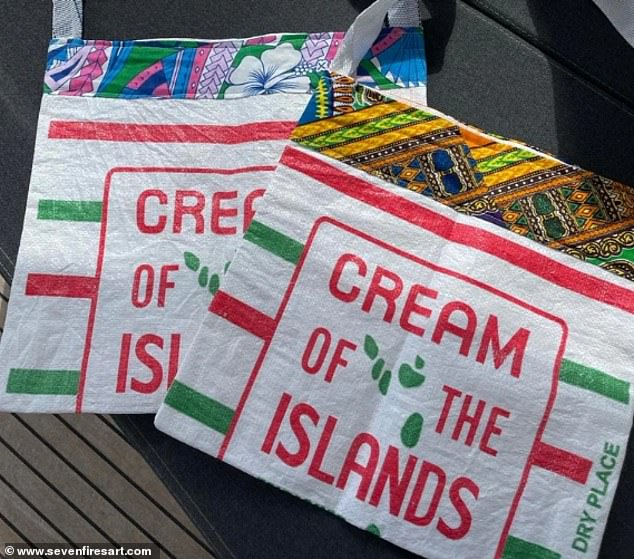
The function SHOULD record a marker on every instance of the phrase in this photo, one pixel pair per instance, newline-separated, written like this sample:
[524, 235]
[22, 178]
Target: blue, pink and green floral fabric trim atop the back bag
[282, 63]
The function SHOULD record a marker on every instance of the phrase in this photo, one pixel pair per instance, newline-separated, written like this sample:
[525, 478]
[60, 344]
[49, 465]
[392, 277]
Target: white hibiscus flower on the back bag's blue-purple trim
[273, 72]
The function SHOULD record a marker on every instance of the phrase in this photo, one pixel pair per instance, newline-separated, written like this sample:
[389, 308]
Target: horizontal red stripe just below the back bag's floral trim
[170, 133]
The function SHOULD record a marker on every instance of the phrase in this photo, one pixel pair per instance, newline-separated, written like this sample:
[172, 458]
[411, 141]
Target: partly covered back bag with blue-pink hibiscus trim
[151, 157]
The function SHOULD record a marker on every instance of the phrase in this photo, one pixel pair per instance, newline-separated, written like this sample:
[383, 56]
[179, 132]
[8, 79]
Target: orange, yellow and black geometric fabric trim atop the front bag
[504, 182]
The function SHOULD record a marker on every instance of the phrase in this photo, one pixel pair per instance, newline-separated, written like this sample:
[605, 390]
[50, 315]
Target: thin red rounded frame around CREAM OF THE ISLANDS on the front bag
[534, 456]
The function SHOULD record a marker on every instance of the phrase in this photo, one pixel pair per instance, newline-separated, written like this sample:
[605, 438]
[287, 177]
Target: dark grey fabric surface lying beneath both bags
[554, 74]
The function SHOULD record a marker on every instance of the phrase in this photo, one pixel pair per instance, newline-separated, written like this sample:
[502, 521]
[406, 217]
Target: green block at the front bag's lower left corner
[203, 409]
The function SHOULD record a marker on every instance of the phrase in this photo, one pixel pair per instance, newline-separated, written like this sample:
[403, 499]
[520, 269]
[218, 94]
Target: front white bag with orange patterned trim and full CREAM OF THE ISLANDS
[452, 384]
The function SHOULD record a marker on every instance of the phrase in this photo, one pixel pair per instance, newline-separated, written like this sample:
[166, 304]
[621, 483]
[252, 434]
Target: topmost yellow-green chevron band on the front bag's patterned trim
[372, 127]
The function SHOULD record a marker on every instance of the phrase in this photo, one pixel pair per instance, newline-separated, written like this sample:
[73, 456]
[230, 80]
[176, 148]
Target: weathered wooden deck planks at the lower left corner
[76, 479]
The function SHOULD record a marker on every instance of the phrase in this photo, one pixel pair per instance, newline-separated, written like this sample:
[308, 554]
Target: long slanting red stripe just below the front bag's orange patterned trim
[519, 255]
